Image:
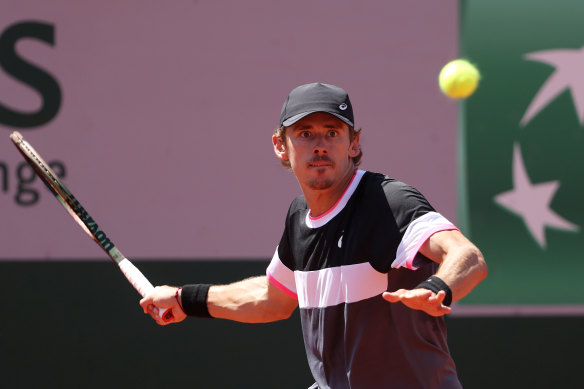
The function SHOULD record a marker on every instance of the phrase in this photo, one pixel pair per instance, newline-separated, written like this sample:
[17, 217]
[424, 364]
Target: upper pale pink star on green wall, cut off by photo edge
[569, 73]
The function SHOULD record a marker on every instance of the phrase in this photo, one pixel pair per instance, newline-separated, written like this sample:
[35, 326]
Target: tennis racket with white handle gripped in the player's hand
[82, 217]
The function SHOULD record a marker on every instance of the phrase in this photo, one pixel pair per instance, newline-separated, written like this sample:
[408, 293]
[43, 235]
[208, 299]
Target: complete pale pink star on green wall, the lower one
[532, 202]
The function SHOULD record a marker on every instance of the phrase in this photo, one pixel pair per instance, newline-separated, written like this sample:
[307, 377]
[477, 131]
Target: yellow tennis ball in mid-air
[458, 79]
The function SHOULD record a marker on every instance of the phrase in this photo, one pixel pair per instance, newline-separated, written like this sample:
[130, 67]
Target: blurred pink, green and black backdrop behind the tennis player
[159, 118]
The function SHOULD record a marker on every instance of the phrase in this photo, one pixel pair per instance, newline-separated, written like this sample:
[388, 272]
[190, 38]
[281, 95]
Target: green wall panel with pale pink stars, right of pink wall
[524, 49]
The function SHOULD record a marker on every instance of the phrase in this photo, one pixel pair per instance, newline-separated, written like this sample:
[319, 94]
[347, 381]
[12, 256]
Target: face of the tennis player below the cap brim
[319, 149]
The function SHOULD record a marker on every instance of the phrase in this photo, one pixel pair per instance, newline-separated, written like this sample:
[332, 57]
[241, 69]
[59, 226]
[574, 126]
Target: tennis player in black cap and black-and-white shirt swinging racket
[371, 265]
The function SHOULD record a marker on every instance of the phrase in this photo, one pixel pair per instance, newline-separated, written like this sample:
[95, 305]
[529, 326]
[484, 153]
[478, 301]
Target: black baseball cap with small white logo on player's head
[316, 97]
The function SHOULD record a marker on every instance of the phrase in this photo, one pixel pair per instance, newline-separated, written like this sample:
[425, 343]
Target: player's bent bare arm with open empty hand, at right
[462, 267]
